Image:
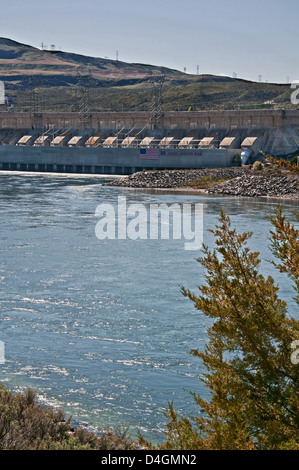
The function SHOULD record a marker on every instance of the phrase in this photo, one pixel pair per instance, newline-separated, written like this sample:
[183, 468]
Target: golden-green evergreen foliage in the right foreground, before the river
[252, 381]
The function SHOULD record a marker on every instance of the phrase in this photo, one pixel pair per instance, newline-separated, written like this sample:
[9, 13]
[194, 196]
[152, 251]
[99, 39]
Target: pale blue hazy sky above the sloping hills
[250, 38]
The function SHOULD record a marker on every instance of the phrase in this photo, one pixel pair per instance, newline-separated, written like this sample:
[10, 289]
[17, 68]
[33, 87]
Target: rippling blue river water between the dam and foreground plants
[100, 327]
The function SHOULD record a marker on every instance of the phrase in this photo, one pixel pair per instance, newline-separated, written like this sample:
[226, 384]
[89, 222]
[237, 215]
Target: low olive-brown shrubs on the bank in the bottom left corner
[26, 425]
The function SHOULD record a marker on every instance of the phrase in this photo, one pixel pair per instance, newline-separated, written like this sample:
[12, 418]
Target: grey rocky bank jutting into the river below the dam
[238, 181]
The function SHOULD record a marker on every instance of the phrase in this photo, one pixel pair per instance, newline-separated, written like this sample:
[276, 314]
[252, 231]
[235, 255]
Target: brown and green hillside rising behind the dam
[42, 80]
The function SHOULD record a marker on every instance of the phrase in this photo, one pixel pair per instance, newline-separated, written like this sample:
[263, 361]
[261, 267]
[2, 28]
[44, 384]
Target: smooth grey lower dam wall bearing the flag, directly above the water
[108, 160]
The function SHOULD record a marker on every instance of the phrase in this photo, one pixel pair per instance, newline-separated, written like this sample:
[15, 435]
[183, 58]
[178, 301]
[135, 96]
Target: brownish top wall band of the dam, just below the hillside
[171, 121]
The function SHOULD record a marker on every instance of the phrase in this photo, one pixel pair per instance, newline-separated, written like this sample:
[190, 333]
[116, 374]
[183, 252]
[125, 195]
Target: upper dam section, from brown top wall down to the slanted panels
[277, 130]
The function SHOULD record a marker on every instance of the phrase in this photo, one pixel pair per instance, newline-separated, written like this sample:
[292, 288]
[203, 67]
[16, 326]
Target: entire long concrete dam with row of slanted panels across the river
[126, 142]
